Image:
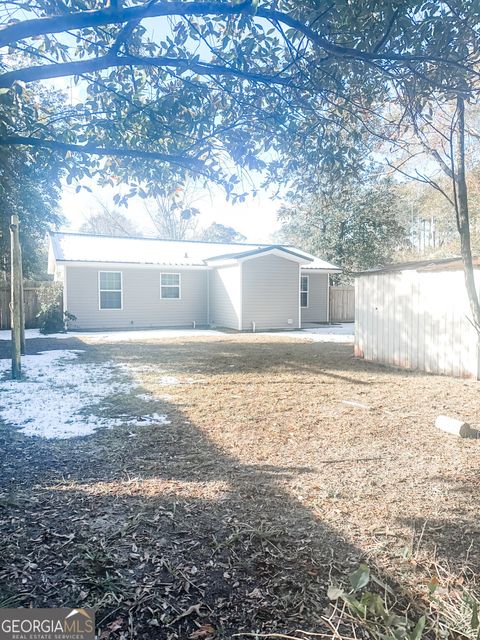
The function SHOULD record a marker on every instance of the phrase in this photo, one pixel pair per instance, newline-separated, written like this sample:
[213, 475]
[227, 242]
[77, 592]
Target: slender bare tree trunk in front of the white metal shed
[463, 221]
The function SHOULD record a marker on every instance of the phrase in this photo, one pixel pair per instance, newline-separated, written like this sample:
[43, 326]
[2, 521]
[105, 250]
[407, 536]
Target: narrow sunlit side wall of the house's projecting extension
[225, 296]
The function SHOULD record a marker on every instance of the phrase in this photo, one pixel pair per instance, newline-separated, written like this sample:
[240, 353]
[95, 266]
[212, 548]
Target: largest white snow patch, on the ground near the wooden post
[57, 395]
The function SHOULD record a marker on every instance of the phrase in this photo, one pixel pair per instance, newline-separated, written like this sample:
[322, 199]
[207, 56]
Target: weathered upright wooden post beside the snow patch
[16, 299]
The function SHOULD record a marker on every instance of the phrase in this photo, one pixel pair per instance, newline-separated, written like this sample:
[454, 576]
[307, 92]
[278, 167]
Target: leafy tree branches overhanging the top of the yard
[285, 88]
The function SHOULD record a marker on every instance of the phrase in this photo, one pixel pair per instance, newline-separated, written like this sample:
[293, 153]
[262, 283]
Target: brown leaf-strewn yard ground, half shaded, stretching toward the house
[284, 464]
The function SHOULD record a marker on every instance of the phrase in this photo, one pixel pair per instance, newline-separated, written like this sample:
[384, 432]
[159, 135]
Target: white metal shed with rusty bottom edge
[417, 315]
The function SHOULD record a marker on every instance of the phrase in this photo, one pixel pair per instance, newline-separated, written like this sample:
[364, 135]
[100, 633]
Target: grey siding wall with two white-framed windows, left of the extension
[142, 305]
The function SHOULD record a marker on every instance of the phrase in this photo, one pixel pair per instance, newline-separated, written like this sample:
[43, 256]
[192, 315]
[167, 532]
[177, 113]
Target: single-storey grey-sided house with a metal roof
[112, 282]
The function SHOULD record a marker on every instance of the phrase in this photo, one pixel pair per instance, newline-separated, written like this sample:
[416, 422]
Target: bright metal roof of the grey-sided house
[88, 248]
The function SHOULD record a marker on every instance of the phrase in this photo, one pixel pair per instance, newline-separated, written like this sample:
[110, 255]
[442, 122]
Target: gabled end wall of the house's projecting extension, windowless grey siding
[271, 293]
